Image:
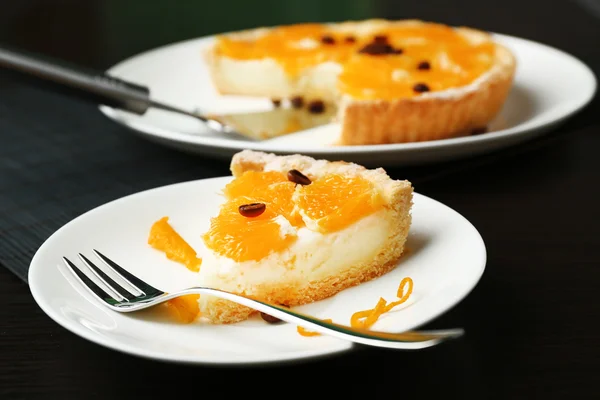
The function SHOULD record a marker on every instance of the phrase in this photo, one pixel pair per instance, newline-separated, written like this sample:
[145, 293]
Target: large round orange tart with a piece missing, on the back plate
[391, 81]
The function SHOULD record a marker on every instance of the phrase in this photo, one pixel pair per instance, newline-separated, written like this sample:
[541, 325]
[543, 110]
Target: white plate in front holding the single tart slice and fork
[446, 259]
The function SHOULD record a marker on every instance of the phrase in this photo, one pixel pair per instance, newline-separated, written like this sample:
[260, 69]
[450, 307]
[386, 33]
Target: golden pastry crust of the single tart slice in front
[397, 199]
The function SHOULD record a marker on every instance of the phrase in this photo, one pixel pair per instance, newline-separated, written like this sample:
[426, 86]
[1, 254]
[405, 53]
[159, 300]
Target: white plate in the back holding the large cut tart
[549, 86]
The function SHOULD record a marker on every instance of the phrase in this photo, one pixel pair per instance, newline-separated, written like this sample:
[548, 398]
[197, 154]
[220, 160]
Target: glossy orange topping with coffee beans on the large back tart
[386, 64]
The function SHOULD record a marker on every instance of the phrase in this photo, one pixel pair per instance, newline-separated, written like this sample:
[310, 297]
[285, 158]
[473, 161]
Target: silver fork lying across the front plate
[135, 294]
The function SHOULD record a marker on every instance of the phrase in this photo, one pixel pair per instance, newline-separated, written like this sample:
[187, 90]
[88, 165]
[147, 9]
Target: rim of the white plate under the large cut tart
[155, 133]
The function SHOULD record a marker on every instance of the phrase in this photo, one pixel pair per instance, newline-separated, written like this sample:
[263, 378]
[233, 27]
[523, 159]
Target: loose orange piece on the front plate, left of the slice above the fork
[164, 238]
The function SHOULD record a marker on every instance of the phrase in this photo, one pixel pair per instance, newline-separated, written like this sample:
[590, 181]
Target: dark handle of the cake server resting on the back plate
[80, 82]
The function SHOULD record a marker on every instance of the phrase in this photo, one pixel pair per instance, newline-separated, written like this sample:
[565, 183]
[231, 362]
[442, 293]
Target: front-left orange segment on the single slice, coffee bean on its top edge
[242, 238]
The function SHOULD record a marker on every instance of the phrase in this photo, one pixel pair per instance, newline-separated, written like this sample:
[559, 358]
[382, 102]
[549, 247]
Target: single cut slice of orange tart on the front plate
[293, 230]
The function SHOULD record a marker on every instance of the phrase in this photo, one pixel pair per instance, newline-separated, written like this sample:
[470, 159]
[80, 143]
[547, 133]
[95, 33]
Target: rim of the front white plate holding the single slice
[292, 357]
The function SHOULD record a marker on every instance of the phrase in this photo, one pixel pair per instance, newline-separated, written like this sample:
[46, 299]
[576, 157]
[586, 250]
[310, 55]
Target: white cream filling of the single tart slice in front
[312, 256]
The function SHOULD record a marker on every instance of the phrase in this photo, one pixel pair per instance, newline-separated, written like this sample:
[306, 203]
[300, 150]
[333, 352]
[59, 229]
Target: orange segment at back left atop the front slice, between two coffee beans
[271, 187]
